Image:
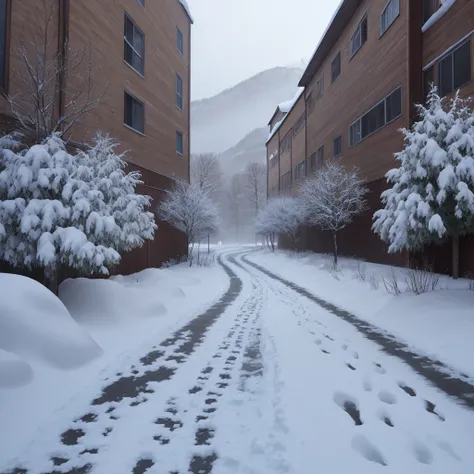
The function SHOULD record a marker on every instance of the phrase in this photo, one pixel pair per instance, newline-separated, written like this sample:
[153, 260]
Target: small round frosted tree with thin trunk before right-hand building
[332, 198]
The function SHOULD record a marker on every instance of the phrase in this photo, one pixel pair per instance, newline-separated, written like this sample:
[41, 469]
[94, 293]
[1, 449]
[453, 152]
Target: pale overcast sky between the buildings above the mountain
[235, 39]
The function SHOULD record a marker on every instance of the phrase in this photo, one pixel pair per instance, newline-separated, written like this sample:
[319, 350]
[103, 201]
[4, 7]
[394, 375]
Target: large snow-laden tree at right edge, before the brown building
[432, 193]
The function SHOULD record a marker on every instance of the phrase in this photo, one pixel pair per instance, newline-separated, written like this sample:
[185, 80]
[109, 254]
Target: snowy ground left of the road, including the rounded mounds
[109, 323]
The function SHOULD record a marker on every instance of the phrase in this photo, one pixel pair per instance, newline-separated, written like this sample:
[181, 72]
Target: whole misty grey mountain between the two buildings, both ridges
[224, 121]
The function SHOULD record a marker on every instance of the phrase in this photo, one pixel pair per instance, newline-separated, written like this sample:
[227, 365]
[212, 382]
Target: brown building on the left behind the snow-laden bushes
[141, 54]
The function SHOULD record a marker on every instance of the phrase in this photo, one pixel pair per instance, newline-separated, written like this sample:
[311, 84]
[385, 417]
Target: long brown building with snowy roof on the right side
[375, 60]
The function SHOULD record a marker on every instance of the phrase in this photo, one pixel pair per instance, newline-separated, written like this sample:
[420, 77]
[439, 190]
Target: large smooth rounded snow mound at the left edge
[36, 325]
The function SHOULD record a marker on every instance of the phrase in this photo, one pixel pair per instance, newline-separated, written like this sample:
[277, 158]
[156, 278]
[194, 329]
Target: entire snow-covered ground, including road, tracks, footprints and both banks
[259, 363]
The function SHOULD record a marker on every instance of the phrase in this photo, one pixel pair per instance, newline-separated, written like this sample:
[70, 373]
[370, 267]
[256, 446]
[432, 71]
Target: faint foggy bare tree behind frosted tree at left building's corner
[206, 174]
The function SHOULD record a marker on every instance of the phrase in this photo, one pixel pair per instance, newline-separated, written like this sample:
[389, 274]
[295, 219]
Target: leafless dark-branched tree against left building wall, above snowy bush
[56, 86]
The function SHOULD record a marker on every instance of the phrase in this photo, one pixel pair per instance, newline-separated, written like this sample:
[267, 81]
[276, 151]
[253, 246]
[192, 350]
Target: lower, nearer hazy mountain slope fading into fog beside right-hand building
[250, 149]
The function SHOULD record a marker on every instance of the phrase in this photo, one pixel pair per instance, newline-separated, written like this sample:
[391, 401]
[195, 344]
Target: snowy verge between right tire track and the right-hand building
[439, 323]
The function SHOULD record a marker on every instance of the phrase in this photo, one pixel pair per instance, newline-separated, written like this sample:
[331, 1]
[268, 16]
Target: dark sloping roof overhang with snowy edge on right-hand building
[337, 24]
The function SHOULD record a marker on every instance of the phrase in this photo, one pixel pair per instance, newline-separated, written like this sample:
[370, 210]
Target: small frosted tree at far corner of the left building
[188, 208]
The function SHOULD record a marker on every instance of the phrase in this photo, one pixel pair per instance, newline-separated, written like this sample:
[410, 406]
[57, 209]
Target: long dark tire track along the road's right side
[434, 371]
